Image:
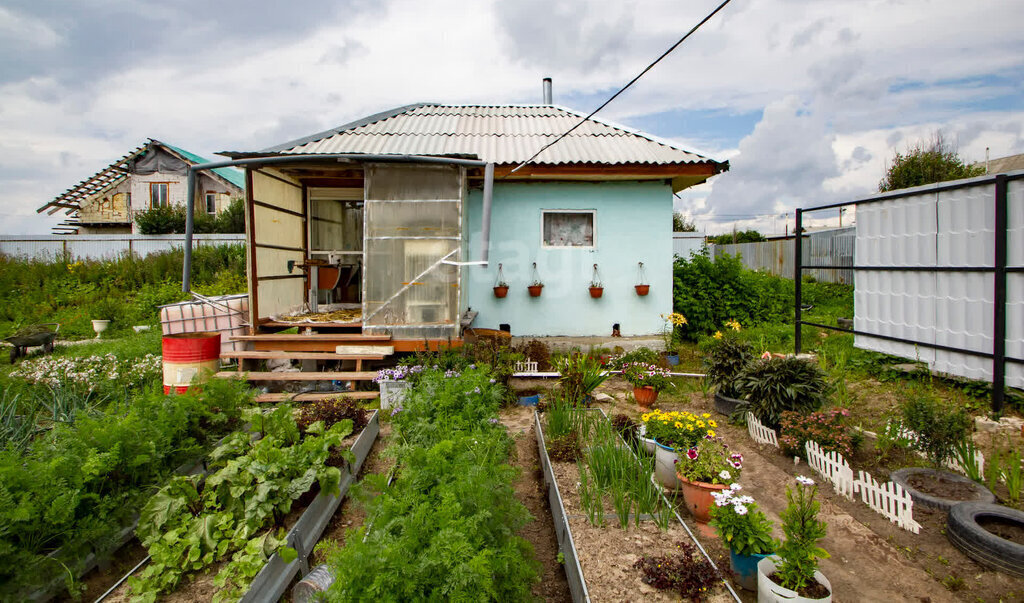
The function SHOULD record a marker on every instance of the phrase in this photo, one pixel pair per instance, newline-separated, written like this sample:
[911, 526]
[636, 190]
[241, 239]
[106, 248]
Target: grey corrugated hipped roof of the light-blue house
[501, 135]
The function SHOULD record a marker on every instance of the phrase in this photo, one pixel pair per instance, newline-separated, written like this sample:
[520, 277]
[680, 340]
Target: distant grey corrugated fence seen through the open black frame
[825, 248]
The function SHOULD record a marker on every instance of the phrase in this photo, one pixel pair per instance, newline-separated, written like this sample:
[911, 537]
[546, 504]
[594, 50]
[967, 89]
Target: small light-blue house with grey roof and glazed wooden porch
[413, 223]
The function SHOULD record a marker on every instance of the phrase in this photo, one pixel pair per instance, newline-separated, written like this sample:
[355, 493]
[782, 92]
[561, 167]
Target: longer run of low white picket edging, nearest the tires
[889, 499]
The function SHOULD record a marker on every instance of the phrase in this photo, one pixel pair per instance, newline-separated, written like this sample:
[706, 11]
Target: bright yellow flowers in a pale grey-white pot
[677, 430]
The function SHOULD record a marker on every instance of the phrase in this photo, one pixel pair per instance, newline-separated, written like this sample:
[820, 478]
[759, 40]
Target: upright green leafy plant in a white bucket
[792, 575]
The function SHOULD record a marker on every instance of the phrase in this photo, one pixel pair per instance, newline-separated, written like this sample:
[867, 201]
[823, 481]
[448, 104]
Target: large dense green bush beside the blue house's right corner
[711, 293]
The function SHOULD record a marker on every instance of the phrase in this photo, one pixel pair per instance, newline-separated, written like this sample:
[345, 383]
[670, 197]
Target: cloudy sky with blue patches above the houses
[807, 101]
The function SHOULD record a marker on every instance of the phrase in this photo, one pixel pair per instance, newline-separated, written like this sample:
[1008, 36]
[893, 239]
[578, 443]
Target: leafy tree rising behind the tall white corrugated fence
[935, 161]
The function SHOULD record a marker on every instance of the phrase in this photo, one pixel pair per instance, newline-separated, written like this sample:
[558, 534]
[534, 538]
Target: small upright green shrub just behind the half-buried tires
[940, 426]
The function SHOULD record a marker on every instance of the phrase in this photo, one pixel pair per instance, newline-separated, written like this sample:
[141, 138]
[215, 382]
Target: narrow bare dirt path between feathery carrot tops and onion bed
[530, 490]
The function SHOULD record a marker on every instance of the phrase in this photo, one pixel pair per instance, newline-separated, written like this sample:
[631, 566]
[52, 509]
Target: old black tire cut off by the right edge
[967, 534]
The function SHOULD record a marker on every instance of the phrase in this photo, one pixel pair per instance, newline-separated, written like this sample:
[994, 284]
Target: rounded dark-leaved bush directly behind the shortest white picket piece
[776, 385]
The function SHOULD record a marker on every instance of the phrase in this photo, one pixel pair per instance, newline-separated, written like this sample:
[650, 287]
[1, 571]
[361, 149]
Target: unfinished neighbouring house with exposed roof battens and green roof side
[150, 177]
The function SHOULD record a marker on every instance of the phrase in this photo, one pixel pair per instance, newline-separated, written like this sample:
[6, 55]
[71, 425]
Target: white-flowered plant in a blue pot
[746, 531]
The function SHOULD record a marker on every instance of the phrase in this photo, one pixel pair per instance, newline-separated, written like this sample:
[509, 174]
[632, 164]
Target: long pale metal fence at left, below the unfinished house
[96, 247]
